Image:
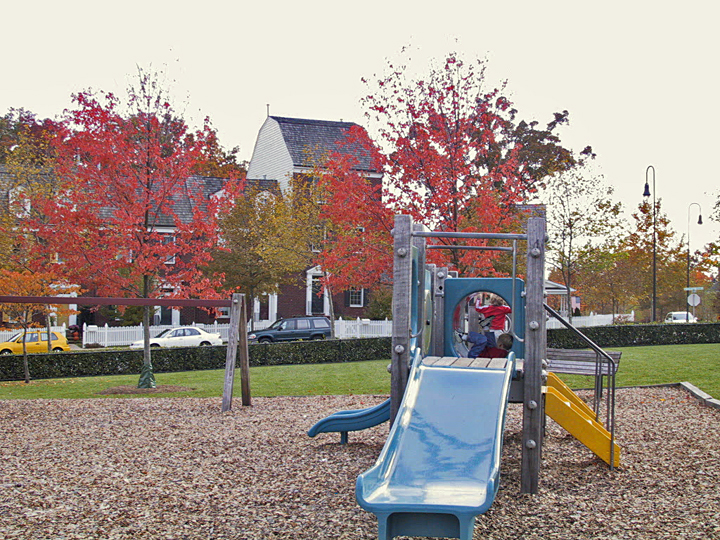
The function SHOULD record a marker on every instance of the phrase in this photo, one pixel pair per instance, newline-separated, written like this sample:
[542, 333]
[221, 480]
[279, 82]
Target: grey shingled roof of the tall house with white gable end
[310, 142]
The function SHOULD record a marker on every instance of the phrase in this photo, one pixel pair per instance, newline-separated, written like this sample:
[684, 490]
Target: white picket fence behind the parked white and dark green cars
[112, 336]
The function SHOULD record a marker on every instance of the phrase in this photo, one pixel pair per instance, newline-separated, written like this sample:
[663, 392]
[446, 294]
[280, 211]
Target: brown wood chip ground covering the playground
[177, 468]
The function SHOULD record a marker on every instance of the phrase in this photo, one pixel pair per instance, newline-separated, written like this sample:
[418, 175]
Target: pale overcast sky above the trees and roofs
[639, 78]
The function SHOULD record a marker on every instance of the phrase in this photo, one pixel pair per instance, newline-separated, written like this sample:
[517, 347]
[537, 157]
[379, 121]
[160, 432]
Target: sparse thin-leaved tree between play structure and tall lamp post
[580, 211]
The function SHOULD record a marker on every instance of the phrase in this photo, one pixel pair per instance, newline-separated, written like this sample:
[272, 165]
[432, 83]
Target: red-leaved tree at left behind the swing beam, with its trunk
[131, 220]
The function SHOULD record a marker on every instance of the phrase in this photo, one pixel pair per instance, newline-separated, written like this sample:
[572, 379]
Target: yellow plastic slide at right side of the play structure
[574, 415]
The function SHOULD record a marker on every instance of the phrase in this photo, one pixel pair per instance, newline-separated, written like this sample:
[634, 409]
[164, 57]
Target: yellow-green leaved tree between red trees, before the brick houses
[267, 239]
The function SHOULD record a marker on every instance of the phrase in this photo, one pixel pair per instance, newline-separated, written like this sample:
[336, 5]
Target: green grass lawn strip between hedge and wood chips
[697, 364]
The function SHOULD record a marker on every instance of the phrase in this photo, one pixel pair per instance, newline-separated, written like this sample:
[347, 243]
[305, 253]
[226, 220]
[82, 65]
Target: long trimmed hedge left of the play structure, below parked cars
[95, 362]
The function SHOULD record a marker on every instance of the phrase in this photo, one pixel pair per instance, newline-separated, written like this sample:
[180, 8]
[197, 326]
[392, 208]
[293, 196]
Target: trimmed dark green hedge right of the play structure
[637, 334]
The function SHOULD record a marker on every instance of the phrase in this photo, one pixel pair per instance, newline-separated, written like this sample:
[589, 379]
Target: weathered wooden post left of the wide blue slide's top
[402, 272]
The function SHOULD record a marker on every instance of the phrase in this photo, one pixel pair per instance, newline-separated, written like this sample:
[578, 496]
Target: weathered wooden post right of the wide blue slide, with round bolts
[535, 351]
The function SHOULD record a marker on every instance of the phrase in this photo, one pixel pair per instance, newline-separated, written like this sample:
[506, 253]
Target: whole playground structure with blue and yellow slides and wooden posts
[440, 466]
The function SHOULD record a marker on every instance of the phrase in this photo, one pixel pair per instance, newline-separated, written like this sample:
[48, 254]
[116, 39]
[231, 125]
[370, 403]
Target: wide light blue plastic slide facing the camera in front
[440, 466]
